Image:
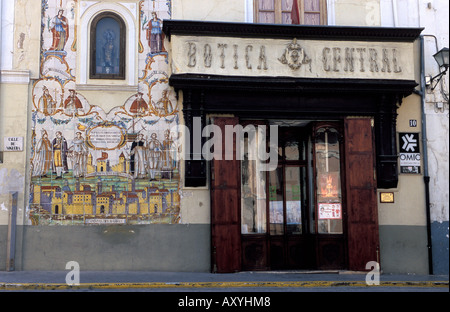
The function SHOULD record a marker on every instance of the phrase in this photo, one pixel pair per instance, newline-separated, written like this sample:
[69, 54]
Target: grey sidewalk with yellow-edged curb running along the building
[56, 280]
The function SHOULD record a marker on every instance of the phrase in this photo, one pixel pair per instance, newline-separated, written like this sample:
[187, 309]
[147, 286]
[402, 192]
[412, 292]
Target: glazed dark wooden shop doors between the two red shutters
[296, 222]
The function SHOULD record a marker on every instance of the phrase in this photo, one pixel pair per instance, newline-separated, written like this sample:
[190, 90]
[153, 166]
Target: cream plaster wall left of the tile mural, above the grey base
[14, 87]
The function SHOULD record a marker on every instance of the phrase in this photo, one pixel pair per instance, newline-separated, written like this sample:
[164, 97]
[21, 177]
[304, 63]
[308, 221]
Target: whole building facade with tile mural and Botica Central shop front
[223, 136]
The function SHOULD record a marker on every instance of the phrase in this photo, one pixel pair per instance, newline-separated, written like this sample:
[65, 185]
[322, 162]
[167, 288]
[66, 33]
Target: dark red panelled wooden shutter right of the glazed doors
[361, 191]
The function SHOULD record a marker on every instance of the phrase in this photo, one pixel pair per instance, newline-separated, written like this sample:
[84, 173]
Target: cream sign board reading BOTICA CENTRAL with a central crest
[291, 58]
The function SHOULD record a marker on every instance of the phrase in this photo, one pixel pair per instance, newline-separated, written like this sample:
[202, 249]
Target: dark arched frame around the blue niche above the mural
[93, 47]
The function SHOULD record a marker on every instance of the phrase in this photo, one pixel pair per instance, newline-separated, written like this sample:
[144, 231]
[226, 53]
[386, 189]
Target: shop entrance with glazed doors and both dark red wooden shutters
[295, 215]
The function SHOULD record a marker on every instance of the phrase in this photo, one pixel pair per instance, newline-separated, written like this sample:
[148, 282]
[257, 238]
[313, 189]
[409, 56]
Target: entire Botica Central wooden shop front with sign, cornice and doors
[327, 98]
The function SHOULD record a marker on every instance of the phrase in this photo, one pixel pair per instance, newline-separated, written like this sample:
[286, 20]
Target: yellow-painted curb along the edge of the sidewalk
[310, 284]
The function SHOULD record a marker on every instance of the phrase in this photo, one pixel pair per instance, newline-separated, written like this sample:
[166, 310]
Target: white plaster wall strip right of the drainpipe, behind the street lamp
[435, 19]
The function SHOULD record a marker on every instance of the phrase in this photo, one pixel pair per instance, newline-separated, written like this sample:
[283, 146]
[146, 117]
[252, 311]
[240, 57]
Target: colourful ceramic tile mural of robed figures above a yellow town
[91, 166]
